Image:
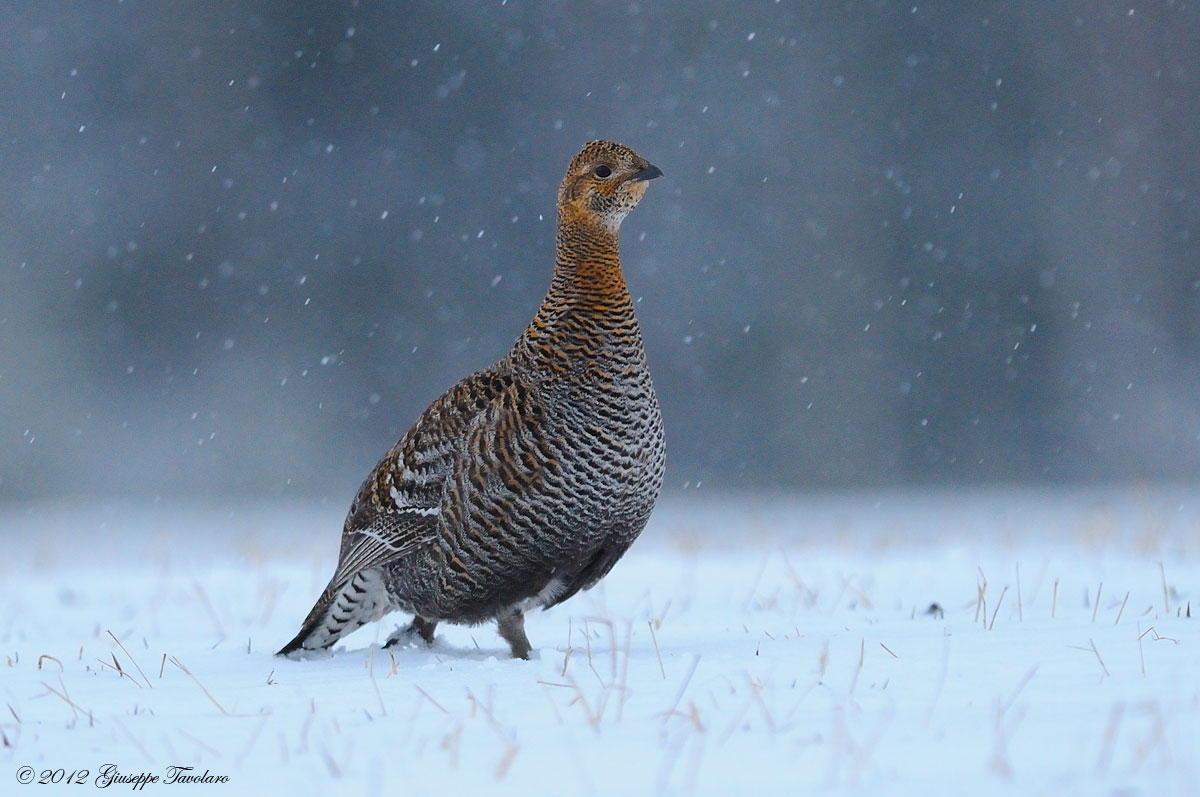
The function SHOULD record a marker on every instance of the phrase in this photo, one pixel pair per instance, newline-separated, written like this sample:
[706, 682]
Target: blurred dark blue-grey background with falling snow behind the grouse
[244, 244]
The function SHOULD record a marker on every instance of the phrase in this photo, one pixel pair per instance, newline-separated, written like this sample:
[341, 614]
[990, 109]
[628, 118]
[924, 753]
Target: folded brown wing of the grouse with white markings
[399, 507]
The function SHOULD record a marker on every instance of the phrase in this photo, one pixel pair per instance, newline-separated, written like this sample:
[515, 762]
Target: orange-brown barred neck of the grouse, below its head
[587, 303]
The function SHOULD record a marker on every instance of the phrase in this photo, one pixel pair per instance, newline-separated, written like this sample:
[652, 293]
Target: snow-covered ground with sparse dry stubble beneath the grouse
[995, 643]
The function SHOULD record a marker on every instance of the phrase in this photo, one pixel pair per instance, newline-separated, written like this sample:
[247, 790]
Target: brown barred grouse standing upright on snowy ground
[526, 482]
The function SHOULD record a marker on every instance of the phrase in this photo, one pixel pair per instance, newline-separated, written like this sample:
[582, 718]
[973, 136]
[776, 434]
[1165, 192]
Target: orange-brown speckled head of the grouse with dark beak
[604, 183]
